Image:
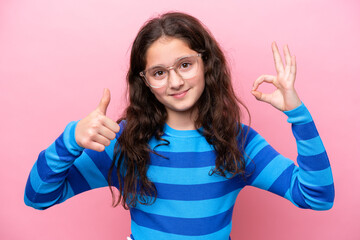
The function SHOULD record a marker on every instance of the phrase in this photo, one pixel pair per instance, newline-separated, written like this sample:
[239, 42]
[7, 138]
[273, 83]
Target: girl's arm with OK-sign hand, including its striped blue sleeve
[311, 184]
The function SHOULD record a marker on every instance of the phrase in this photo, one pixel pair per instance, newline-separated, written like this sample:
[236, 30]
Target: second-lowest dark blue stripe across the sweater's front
[198, 191]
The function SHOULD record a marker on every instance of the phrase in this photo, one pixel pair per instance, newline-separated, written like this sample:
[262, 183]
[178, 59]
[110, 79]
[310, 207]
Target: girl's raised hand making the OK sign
[284, 97]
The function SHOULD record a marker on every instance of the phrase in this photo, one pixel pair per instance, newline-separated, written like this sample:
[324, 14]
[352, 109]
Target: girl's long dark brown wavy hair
[218, 110]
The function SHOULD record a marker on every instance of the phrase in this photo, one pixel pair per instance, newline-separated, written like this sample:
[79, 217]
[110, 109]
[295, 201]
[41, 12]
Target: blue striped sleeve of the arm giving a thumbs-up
[65, 169]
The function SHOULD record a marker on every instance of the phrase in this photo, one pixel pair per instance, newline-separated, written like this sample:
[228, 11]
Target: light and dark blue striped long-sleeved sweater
[191, 204]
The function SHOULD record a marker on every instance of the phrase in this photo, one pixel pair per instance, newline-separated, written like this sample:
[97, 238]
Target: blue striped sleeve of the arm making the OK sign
[308, 185]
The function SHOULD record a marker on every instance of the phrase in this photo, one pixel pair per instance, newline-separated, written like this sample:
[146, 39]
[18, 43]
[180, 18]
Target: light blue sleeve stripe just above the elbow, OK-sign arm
[316, 178]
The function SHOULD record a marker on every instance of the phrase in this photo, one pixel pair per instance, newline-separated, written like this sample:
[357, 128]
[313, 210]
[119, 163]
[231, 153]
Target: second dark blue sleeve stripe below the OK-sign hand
[313, 162]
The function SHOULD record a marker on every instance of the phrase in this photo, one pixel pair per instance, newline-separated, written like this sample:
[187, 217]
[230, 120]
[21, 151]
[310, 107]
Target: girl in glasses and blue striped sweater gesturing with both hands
[180, 155]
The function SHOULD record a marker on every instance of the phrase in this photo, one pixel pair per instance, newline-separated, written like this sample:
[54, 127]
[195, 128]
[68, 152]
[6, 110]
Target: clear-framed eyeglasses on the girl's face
[186, 67]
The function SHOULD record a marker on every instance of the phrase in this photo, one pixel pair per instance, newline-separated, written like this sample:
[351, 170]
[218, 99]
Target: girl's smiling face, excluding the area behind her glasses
[178, 94]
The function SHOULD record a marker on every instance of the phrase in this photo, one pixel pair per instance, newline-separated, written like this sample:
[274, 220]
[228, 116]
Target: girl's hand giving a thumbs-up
[96, 130]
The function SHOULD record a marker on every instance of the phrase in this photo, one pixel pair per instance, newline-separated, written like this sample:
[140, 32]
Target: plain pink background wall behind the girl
[57, 56]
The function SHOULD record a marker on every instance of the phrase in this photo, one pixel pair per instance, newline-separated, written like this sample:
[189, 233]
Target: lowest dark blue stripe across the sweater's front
[182, 226]
